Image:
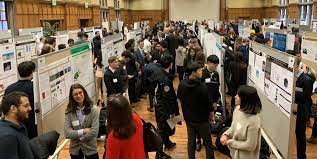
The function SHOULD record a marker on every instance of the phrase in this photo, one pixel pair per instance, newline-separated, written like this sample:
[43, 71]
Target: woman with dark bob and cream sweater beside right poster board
[244, 136]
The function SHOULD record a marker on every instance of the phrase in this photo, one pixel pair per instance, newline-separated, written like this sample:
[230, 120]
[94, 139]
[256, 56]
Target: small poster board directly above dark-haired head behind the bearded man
[25, 48]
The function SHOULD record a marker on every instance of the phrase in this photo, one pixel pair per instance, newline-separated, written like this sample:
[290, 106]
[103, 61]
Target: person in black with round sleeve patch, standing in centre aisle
[166, 105]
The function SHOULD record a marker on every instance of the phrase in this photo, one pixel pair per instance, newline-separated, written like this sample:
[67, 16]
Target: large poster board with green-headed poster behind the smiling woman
[56, 72]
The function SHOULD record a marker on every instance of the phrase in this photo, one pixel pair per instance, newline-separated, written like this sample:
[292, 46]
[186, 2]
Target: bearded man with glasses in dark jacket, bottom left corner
[13, 135]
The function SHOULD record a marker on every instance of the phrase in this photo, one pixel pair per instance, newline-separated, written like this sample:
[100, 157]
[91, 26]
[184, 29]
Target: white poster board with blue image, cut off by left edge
[8, 66]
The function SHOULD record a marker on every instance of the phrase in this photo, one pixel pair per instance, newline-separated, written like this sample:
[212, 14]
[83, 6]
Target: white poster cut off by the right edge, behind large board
[309, 48]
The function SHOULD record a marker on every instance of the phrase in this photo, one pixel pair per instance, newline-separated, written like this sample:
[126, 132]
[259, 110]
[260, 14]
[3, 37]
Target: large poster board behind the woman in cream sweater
[272, 71]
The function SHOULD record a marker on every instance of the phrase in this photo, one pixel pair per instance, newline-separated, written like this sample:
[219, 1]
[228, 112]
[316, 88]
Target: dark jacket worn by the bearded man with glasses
[14, 143]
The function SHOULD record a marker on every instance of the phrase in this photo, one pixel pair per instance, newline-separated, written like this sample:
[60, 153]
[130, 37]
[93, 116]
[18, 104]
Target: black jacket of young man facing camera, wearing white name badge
[211, 79]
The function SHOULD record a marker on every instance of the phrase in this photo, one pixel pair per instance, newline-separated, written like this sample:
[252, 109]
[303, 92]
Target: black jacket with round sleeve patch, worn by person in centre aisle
[166, 99]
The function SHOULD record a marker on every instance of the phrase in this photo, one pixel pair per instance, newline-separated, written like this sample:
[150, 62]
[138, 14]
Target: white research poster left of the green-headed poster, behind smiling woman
[54, 80]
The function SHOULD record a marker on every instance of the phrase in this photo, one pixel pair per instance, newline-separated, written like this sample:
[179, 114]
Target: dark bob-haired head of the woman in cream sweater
[248, 100]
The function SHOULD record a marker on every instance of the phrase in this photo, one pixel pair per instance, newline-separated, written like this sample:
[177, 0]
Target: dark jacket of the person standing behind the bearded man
[26, 86]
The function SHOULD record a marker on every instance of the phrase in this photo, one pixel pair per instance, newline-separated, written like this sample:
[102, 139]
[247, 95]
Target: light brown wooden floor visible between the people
[180, 137]
